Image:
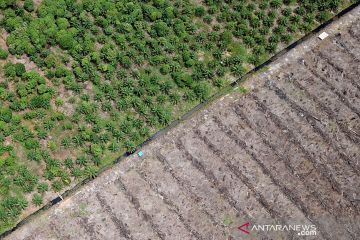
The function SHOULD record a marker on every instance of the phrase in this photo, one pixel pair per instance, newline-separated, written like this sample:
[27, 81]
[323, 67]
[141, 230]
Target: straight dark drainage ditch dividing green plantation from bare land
[186, 116]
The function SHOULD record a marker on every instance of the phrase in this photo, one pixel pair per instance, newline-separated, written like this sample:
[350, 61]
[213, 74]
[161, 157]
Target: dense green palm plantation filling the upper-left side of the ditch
[111, 73]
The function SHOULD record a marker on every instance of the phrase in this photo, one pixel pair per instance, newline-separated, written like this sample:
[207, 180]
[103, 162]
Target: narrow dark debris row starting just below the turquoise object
[167, 201]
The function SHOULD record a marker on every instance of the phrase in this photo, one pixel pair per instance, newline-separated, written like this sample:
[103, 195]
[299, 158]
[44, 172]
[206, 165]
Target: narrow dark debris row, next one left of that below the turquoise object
[145, 216]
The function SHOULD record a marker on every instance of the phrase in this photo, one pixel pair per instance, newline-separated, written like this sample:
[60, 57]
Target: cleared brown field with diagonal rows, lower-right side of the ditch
[285, 153]
